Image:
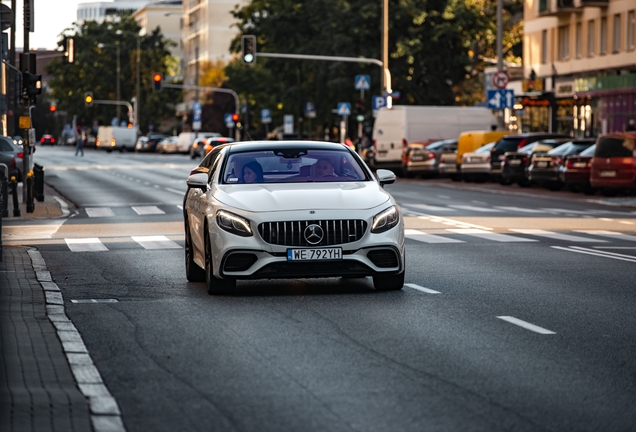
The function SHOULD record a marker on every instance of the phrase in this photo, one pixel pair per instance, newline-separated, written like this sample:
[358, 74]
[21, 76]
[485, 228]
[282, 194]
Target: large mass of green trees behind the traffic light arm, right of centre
[436, 51]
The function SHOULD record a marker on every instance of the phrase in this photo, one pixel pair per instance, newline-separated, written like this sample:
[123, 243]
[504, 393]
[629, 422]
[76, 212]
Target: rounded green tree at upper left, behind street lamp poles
[95, 69]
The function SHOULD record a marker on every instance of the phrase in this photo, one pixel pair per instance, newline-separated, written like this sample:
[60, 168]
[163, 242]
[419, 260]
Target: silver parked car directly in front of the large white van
[423, 158]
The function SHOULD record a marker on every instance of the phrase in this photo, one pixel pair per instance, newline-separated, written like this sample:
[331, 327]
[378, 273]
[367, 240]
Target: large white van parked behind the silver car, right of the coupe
[395, 128]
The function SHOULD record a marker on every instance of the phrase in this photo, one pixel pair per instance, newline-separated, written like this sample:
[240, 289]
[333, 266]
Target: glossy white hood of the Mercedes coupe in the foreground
[302, 196]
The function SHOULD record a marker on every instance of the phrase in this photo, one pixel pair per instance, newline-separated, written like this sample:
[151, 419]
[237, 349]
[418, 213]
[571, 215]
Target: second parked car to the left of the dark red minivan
[545, 168]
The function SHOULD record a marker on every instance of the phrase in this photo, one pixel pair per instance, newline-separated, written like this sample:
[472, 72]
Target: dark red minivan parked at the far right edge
[614, 163]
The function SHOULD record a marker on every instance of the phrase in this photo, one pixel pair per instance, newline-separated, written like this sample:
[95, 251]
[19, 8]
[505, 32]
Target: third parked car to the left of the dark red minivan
[514, 166]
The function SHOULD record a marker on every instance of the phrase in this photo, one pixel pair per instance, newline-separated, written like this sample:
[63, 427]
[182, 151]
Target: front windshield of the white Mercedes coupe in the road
[292, 166]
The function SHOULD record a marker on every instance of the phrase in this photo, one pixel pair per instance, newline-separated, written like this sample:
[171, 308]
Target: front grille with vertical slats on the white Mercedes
[291, 233]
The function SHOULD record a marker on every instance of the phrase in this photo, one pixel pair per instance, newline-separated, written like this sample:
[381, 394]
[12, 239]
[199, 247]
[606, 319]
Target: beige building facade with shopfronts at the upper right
[579, 61]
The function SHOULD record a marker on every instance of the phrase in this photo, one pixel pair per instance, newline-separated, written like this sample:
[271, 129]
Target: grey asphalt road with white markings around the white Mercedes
[519, 313]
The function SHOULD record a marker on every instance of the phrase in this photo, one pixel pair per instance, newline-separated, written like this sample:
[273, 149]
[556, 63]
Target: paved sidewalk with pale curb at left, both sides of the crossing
[48, 381]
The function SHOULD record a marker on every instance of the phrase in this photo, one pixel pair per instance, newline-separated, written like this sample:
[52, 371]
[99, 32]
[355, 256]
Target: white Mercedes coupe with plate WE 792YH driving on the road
[290, 209]
